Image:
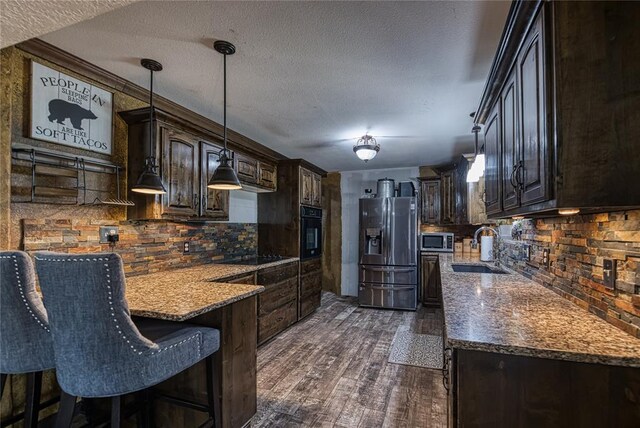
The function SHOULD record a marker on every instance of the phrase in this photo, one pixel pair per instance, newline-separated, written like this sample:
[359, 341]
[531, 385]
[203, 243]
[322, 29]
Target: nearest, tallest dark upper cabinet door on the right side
[532, 112]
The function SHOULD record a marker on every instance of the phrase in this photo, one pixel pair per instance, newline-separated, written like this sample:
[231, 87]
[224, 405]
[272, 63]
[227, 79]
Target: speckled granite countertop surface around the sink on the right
[511, 314]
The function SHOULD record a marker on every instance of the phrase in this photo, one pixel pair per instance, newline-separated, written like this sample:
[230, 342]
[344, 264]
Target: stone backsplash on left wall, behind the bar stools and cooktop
[145, 246]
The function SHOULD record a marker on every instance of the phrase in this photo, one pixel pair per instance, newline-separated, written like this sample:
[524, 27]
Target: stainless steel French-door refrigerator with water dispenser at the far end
[388, 270]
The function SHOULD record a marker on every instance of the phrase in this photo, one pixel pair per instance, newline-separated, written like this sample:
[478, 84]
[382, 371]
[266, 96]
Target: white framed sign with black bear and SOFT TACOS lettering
[68, 111]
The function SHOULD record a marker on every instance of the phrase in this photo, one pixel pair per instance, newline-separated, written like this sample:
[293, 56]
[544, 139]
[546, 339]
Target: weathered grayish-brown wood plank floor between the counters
[331, 370]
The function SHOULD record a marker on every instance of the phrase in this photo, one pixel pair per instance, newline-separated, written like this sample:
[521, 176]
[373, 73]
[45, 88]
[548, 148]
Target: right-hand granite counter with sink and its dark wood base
[517, 354]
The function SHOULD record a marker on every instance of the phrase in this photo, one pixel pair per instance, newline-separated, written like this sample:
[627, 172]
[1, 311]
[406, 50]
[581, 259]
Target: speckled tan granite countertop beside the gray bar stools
[180, 294]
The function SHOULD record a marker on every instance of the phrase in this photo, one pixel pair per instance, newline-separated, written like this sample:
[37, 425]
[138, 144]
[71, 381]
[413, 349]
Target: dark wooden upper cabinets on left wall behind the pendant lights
[187, 155]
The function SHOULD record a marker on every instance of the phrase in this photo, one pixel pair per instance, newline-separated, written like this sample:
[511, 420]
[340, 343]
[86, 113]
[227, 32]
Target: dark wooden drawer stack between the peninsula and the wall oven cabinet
[278, 303]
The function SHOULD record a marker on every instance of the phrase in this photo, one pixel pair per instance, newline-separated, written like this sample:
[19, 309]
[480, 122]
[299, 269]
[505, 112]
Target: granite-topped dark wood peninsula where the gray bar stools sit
[194, 295]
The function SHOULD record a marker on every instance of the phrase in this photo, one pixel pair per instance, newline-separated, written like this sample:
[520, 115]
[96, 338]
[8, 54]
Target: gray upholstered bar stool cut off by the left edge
[25, 340]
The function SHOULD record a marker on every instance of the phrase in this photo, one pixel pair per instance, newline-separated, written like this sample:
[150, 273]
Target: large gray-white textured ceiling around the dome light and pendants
[310, 77]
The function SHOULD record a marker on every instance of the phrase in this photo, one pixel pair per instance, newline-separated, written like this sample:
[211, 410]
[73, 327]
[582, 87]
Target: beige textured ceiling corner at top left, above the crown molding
[24, 19]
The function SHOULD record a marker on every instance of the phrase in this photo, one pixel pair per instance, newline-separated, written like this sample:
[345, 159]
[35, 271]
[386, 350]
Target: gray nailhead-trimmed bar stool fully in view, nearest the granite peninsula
[99, 351]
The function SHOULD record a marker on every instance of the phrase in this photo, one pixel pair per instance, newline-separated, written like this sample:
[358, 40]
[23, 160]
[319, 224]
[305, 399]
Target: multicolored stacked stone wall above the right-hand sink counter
[578, 245]
